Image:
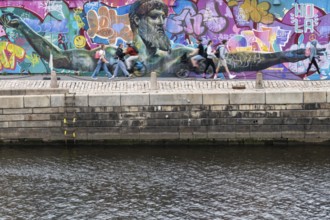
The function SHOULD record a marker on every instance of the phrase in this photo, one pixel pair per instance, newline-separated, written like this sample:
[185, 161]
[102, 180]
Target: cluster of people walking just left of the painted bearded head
[125, 65]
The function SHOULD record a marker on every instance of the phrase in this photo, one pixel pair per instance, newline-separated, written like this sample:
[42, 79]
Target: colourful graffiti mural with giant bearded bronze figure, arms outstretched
[261, 36]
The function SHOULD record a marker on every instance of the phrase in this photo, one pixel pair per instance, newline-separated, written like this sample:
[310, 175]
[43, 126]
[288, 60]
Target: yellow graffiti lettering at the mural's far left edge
[10, 54]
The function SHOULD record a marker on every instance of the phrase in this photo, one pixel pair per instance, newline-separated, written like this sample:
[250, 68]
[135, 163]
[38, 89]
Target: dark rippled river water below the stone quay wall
[228, 182]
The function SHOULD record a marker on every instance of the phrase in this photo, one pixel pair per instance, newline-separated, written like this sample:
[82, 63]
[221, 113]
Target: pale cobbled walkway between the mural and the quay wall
[142, 85]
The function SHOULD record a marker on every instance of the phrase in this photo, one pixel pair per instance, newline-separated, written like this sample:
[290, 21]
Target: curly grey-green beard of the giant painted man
[154, 37]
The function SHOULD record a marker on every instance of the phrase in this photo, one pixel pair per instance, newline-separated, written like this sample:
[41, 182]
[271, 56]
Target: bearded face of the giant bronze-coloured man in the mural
[151, 30]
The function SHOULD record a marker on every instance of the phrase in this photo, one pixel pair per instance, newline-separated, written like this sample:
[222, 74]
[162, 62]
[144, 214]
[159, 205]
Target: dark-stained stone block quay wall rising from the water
[238, 116]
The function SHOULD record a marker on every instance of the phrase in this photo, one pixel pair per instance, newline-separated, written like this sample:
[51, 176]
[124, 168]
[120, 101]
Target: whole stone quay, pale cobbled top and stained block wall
[177, 110]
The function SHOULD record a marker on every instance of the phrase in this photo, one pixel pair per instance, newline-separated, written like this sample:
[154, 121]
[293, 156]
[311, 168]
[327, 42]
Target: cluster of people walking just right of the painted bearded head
[209, 54]
